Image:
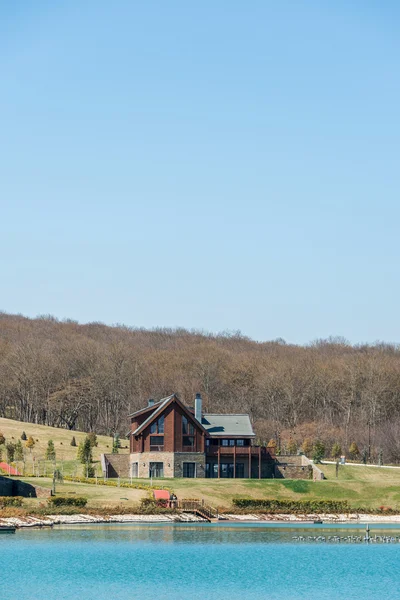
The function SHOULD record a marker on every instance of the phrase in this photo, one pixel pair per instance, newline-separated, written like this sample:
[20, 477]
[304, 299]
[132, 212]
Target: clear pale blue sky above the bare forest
[211, 164]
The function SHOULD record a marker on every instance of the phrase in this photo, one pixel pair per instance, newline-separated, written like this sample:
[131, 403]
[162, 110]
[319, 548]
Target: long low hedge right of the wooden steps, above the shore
[293, 506]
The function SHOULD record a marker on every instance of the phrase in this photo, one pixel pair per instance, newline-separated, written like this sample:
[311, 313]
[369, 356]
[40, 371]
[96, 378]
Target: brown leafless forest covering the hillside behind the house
[89, 377]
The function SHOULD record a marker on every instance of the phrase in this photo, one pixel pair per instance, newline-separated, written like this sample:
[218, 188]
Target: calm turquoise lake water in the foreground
[197, 562]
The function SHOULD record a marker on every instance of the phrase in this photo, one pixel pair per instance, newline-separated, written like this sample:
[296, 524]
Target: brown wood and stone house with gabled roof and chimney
[169, 439]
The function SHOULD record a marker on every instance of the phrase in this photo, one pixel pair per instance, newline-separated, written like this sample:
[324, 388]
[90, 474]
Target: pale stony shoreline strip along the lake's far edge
[309, 519]
